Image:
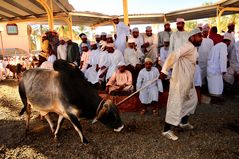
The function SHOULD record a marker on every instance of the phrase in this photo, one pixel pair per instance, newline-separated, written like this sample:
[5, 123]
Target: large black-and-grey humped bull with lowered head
[65, 91]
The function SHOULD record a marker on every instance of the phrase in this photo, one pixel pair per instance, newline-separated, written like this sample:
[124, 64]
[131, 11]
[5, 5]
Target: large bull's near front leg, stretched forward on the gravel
[75, 122]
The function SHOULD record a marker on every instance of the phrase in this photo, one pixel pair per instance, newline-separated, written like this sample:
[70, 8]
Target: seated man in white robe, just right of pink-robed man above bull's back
[93, 66]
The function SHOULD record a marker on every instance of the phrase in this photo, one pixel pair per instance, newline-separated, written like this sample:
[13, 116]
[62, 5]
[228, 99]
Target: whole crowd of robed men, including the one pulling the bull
[134, 61]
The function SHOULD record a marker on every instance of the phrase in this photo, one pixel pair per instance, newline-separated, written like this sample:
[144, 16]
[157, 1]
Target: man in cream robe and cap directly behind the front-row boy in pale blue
[150, 46]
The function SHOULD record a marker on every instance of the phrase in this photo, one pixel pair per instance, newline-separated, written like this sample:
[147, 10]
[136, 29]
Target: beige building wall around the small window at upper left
[16, 41]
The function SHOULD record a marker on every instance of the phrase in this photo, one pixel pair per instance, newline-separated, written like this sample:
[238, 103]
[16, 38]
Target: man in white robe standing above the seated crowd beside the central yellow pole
[122, 33]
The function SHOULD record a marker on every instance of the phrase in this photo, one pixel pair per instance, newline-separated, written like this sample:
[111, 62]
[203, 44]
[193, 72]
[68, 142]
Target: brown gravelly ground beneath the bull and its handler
[216, 134]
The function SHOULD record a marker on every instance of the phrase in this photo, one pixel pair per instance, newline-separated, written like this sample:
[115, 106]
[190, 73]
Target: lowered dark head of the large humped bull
[109, 116]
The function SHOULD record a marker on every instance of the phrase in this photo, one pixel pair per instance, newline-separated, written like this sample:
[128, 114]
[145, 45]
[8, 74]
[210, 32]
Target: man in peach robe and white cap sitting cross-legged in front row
[120, 81]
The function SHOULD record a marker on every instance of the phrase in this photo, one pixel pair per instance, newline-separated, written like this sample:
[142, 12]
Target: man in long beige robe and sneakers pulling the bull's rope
[182, 98]
